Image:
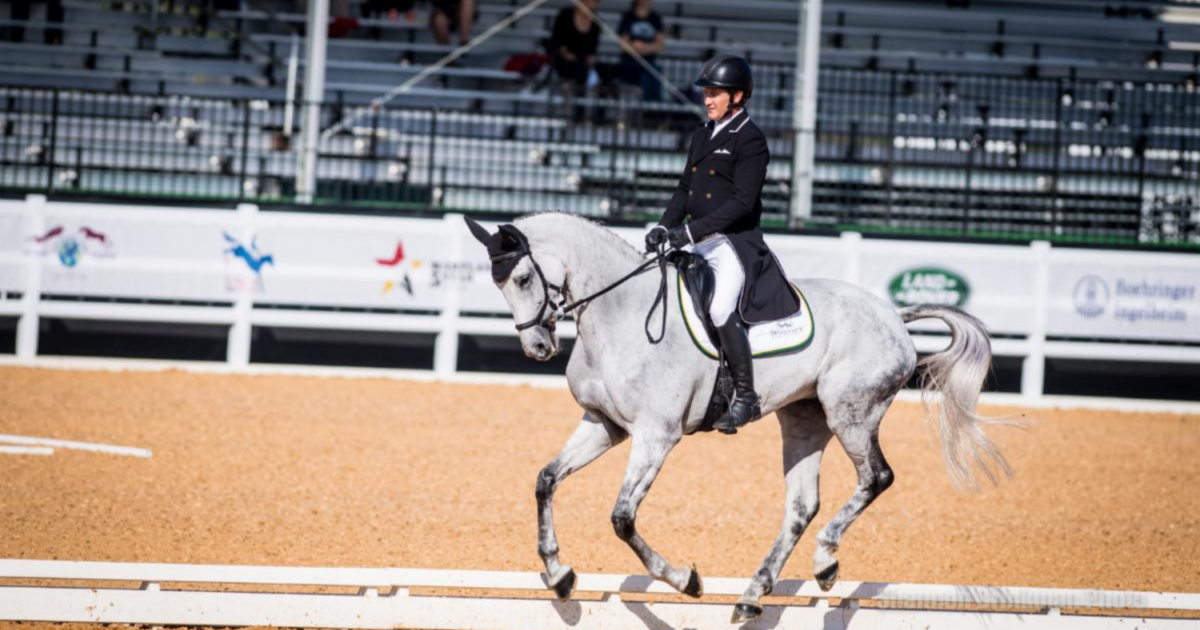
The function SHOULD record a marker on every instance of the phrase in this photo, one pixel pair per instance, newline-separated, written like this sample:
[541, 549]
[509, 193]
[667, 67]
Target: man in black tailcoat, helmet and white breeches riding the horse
[721, 191]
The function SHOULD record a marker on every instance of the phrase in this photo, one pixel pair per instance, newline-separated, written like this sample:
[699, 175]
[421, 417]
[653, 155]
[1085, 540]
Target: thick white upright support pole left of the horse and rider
[314, 97]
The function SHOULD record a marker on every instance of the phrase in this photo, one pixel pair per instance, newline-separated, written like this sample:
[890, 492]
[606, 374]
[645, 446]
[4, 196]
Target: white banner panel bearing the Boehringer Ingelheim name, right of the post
[1125, 297]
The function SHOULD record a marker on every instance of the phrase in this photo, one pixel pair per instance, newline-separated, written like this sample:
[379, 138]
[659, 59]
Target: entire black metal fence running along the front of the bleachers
[896, 153]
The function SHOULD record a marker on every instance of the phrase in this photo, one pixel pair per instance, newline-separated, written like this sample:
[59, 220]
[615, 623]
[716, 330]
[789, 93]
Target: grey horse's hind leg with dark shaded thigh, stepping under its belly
[806, 437]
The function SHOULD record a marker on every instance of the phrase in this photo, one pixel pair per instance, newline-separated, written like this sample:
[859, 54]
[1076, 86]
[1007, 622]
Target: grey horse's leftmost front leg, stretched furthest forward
[595, 436]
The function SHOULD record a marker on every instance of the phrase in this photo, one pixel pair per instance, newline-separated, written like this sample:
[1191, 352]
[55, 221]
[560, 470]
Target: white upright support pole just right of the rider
[805, 111]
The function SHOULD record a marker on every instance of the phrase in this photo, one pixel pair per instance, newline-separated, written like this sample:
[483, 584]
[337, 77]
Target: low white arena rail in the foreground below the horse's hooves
[35, 591]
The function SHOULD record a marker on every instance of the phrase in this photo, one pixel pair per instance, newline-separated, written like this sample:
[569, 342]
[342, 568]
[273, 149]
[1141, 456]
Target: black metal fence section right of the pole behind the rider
[1010, 158]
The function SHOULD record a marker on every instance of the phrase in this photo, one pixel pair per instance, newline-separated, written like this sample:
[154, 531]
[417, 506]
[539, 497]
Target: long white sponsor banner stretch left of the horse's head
[287, 259]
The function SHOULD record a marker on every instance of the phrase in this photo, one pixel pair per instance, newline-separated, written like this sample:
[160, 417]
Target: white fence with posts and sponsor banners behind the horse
[245, 269]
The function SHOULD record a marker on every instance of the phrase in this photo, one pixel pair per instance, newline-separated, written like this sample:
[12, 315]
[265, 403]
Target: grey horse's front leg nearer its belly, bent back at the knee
[645, 463]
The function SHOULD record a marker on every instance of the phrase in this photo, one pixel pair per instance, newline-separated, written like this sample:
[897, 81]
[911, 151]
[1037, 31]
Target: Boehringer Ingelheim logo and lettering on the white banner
[1135, 299]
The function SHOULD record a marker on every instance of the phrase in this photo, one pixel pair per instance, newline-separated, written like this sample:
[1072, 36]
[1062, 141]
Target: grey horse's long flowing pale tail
[958, 374]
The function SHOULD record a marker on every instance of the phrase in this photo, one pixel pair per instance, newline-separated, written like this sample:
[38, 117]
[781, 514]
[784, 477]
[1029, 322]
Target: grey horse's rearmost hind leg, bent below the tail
[856, 422]
